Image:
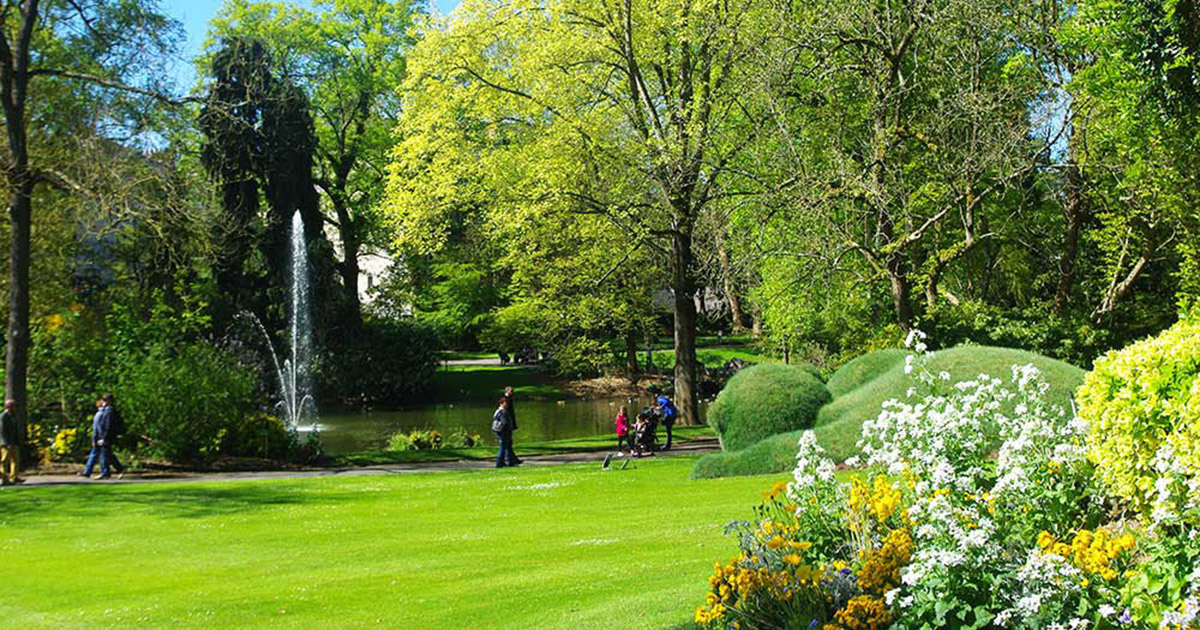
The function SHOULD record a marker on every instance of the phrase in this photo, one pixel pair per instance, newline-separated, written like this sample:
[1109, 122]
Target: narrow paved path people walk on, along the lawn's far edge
[155, 477]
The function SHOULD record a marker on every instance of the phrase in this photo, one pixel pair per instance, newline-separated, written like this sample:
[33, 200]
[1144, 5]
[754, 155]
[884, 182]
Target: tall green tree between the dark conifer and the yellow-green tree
[347, 58]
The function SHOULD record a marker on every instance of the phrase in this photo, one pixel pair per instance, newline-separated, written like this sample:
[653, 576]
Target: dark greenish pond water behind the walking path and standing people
[537, 421]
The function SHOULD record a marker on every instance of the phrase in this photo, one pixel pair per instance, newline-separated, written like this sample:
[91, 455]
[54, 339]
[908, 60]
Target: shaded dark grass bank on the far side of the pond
[482, 383]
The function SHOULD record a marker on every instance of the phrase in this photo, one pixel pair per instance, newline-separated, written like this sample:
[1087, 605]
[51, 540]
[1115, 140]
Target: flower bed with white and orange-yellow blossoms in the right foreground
[959, 515]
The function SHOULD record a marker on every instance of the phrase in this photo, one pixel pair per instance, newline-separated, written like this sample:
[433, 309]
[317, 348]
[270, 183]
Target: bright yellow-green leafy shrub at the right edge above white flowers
[1143, 405]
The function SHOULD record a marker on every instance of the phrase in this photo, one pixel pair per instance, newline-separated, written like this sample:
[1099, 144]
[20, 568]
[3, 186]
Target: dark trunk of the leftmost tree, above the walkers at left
[17, 358]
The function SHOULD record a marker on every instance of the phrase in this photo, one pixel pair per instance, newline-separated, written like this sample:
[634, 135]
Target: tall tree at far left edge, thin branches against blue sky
[95, 44]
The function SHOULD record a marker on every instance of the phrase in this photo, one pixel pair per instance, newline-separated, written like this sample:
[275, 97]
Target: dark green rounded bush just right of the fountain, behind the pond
[388, 362]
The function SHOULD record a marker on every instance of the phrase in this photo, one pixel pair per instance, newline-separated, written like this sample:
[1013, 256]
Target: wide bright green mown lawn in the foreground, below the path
[566, 547]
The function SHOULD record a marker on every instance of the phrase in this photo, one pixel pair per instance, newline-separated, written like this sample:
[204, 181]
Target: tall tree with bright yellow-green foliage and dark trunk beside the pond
[634, 111]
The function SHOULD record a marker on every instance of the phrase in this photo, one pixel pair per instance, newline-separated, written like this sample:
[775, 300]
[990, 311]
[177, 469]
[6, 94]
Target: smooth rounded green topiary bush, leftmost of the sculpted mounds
[765, 400]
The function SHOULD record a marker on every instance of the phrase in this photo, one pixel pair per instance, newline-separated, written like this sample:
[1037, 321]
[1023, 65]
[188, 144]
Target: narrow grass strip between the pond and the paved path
[488, 452]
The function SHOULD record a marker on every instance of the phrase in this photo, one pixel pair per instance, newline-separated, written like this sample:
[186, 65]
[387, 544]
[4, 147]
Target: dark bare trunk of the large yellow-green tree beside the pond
[685, 287]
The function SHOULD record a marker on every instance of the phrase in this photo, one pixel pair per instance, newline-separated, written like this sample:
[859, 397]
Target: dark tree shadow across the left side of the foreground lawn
[25, 507]
